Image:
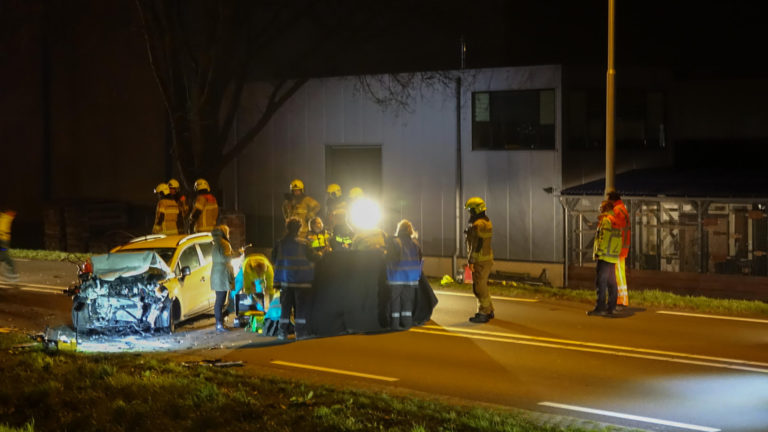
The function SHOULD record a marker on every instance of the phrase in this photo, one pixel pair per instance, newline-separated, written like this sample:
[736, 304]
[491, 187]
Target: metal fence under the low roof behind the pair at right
[678, 234]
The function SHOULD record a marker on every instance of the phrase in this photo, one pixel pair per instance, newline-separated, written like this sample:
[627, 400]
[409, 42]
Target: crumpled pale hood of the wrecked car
[108, 267]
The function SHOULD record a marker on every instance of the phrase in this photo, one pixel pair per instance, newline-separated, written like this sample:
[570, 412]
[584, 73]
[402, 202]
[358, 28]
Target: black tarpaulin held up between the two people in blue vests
[350, 295]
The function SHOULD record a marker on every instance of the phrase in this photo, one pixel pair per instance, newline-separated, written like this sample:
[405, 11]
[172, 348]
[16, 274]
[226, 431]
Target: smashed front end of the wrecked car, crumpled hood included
[124, 293]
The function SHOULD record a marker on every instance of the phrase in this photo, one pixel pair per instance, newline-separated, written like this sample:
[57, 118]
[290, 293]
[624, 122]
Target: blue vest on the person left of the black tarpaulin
[293, 265]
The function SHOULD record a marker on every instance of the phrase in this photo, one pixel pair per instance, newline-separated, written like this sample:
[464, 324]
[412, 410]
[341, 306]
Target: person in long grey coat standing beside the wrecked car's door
[222, 274]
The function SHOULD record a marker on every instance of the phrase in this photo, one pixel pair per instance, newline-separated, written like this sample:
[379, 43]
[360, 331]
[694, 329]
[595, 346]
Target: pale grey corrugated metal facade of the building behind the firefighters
[418, 152]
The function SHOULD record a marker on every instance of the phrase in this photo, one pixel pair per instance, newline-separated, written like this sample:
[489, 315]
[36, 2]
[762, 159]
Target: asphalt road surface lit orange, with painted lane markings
[650, 369]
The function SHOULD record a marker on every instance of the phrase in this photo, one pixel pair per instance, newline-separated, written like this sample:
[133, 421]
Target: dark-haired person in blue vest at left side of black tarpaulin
[293, 260]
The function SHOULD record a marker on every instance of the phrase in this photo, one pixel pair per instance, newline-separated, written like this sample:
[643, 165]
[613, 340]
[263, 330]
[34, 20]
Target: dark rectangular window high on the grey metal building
[513, 120]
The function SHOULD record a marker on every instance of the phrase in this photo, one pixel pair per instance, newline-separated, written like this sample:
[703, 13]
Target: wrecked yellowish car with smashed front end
[148, 284]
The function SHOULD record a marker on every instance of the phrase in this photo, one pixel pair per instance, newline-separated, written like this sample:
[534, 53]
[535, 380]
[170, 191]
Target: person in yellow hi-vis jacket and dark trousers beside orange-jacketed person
[607, 247]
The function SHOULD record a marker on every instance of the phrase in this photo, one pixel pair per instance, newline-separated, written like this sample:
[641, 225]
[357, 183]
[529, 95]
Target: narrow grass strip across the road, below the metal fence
[652, 299]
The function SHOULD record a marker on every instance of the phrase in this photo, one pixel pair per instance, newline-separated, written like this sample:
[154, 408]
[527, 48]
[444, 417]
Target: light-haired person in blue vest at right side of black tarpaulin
[404, 265]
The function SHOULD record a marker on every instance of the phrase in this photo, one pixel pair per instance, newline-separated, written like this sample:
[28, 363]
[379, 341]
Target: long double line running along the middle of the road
[616, 350]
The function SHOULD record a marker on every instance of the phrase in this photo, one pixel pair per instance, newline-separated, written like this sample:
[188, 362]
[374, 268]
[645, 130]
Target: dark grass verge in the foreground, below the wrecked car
[75, 391]
